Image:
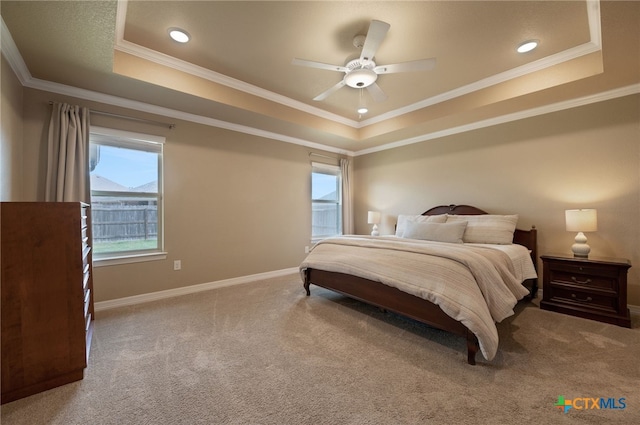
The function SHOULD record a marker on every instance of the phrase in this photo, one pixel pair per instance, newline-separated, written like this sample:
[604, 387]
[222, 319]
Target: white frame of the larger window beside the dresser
[142, 142]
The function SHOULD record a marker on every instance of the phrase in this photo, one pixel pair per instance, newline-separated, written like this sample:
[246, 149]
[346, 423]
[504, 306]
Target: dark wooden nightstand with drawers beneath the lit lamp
[594, 288]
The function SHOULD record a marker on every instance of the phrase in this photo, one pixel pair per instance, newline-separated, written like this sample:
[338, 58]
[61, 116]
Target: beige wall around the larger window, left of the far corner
[235, 205]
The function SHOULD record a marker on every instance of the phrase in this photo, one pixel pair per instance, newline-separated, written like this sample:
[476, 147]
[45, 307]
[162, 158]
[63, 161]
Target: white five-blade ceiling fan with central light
[363, 72]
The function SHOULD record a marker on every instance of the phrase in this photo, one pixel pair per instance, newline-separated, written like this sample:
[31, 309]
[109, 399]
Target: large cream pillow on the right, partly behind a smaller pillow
[487, 228]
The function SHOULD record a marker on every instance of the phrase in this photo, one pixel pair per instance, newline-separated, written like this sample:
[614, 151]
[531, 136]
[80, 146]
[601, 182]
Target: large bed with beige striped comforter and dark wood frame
[329, 265]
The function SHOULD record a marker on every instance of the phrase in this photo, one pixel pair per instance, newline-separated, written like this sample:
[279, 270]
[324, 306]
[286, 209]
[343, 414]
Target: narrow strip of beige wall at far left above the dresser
[10, 135]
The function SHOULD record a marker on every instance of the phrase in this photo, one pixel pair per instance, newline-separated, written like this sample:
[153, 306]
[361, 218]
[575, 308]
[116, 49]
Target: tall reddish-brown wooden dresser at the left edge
[47, 295]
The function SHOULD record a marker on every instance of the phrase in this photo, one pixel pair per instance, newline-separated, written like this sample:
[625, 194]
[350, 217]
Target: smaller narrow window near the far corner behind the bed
[326, 201]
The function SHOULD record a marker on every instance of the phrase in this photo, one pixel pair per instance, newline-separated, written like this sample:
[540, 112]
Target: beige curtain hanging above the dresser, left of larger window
[68, 154]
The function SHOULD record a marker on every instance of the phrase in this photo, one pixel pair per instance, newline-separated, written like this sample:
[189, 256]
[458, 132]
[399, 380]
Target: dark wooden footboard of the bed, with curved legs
[392, 299]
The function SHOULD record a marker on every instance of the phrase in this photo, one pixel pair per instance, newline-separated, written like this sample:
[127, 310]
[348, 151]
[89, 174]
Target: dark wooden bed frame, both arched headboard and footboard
[392, 299]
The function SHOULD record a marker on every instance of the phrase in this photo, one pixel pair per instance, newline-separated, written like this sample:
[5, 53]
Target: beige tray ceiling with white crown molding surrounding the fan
[237, 67]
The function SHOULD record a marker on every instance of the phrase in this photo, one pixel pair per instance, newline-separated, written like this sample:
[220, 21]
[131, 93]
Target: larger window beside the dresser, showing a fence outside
[126, 193]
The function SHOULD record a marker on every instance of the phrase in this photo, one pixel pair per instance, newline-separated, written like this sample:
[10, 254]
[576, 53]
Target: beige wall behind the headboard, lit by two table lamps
[587, 157]
